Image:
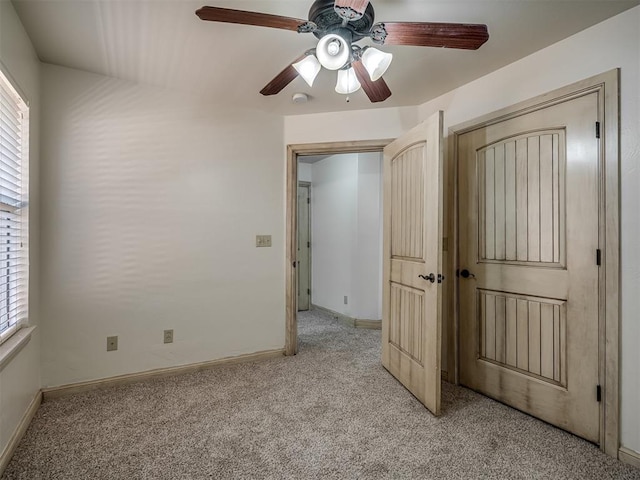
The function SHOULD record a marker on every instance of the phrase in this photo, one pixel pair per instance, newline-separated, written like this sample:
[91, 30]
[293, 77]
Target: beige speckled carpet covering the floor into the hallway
[331, 412]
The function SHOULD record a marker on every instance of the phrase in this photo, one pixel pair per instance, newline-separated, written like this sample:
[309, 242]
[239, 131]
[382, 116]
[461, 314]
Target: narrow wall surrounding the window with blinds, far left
[20, 378]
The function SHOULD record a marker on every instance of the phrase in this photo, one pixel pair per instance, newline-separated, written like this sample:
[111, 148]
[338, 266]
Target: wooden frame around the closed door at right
[606, 85]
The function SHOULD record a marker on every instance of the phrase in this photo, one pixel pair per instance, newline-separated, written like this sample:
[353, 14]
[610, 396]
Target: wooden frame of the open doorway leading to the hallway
[291, 186]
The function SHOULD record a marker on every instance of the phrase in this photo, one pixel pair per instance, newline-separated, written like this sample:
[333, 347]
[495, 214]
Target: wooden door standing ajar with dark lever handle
[412, 250]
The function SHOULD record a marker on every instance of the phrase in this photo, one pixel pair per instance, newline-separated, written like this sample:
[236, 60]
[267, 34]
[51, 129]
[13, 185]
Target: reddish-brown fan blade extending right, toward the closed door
[424, 34]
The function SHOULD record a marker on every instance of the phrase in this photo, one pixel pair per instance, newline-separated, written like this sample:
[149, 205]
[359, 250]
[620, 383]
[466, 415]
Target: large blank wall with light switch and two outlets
[151, 204]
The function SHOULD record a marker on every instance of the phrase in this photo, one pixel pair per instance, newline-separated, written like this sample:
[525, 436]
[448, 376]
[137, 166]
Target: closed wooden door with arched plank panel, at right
[528, 212]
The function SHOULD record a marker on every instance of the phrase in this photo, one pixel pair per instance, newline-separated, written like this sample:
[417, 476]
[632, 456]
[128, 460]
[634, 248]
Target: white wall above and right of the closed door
[614, 43]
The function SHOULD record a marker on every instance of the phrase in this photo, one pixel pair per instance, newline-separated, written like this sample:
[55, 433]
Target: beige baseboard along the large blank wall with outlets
[63, 390]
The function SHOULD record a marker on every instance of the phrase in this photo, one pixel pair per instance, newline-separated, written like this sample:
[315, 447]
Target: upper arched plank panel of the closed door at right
[521, 193]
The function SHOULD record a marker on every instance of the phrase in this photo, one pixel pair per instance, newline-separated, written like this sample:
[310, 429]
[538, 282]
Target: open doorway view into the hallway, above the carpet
[339, 253]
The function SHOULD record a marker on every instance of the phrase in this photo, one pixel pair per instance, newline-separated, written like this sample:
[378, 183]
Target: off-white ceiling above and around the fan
[163, 43]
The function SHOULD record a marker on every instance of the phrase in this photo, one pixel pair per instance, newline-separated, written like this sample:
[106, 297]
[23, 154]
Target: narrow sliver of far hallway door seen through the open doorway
[304, 246]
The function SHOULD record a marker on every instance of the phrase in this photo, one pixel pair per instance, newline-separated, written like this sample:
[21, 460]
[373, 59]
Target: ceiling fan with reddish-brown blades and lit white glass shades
[339, 25]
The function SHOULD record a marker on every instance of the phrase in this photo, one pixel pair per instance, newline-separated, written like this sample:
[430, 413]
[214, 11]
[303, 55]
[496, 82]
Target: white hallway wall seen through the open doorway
[345, 222]
